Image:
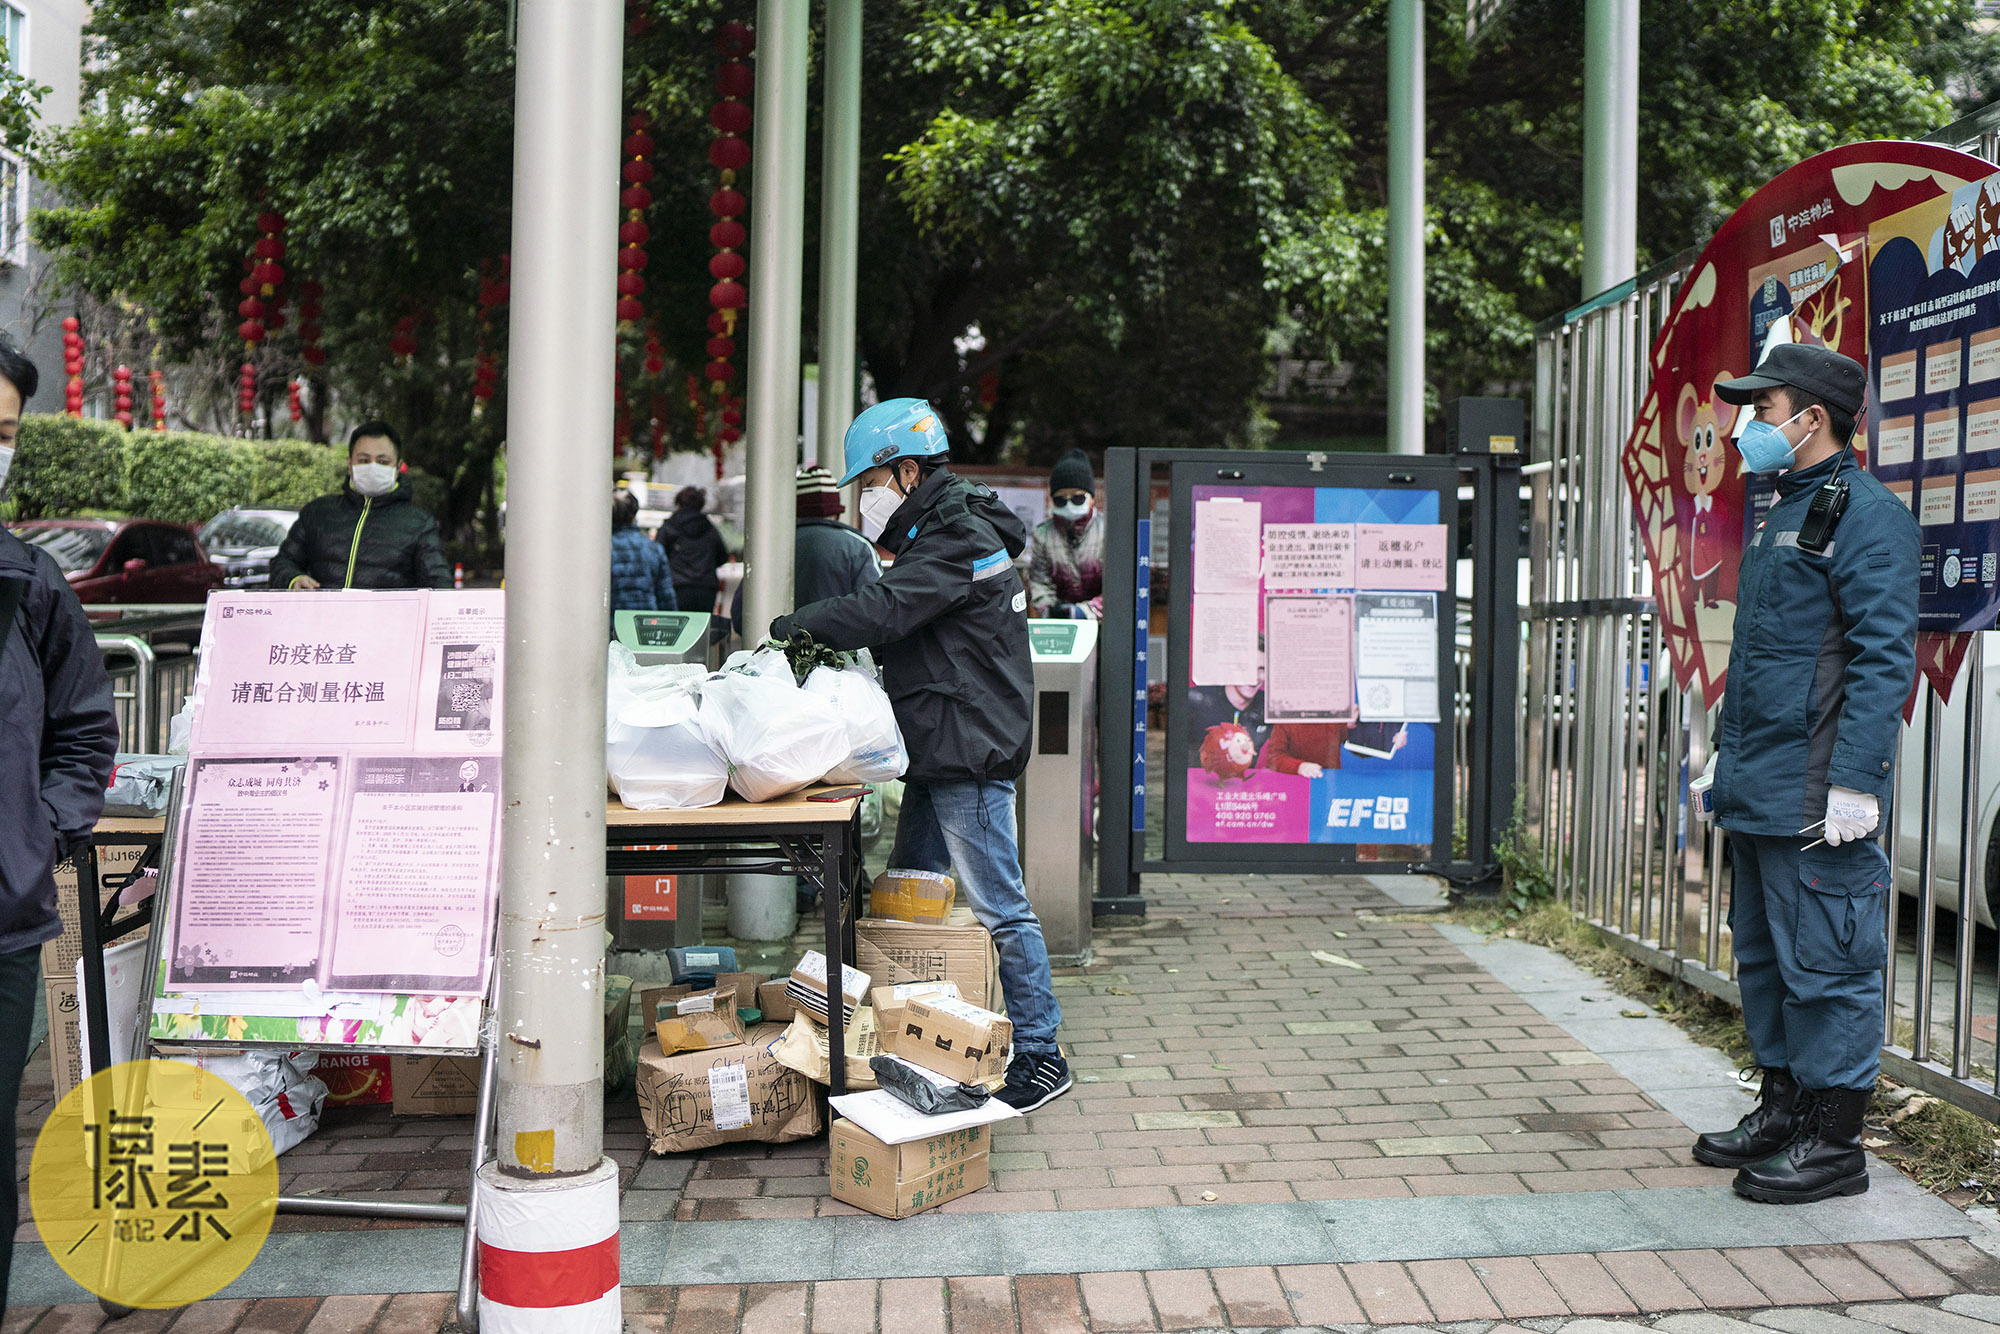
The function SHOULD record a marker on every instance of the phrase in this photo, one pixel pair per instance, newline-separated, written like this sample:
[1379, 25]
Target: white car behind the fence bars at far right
[1943, 833]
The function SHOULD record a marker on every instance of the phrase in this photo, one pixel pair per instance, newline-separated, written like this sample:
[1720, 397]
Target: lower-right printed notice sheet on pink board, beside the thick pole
[417, 877]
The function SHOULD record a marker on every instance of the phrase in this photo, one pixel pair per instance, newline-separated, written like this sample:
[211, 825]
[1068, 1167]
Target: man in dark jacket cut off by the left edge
[61, 737]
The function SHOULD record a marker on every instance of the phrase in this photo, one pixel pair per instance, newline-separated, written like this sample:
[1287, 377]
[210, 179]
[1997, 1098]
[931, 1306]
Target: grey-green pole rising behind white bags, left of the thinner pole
[777, 299]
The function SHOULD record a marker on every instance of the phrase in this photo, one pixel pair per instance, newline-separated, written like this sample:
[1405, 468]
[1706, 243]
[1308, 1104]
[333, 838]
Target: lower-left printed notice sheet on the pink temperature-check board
[251, 899]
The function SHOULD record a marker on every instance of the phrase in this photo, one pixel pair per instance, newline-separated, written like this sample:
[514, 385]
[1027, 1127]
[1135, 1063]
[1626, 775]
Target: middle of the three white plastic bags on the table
[777, 737]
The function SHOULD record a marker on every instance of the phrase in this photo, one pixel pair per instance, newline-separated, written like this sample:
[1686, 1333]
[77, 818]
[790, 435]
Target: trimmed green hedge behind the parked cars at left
[71, 465]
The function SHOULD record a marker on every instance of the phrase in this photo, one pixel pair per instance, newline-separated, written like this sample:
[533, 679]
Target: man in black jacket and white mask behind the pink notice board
[367, 535]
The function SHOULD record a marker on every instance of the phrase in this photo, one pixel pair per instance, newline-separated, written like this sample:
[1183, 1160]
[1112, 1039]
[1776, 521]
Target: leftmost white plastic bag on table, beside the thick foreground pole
[655, 751]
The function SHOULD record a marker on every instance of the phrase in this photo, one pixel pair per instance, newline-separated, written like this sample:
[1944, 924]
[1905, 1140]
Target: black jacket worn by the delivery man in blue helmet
[949, 625]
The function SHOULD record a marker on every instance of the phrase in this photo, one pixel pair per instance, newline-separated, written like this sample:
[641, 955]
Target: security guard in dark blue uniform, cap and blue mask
[1821, 665]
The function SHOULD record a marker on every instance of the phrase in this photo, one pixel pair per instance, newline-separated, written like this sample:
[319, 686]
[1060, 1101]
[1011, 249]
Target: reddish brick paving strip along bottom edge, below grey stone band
[1253, 1297]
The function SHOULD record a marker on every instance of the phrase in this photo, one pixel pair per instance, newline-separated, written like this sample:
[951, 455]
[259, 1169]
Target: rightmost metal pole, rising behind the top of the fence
[1611, 143]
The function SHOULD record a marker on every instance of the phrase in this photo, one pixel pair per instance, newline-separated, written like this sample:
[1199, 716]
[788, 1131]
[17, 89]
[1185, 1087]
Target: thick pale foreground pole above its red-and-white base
[551, 985]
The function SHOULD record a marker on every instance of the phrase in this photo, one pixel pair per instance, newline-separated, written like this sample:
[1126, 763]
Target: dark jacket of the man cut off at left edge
[61, 737]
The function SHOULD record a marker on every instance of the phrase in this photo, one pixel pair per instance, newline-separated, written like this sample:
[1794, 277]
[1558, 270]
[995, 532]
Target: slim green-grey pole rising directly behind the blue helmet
[841, 193]
